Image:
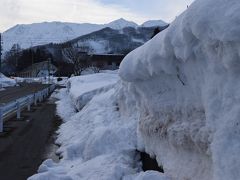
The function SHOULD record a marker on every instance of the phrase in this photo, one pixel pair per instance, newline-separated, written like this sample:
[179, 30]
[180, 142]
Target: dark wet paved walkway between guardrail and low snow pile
[24, 142]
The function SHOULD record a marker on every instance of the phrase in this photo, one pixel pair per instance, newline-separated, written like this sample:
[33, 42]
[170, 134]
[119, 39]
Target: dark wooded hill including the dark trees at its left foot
[104, 41]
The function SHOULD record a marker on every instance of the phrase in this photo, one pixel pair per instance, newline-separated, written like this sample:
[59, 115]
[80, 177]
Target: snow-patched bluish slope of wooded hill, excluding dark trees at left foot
[105, 41]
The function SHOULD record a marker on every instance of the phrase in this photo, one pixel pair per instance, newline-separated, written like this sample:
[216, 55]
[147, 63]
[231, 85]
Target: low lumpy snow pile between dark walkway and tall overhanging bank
[96, 142]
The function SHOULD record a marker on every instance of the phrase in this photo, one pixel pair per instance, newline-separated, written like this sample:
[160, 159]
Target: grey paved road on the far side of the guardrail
[13, 93]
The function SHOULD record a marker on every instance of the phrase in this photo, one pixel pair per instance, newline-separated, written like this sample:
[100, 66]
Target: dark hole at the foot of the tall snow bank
[149, 163]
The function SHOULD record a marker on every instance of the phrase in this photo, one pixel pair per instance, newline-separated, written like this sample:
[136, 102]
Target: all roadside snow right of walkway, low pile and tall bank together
[178, 99]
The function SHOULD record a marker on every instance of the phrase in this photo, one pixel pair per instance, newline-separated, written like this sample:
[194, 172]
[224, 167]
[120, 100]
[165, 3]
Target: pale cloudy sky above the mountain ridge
[14, 12]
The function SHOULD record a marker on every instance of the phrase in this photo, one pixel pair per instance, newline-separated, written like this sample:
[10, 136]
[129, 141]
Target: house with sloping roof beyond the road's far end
[41, 69]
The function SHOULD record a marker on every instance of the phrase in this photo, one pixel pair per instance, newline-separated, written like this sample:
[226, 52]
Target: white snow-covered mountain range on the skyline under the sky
[54, 32]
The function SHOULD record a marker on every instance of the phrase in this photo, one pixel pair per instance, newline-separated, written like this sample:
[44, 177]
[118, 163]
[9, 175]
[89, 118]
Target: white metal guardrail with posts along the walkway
[21, 103]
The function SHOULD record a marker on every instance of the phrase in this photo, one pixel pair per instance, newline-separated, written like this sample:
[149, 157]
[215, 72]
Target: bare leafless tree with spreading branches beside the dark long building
[79, 59]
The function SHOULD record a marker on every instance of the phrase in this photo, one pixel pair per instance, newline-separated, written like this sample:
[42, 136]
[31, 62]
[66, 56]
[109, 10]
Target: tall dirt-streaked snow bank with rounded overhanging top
[184, 84]
